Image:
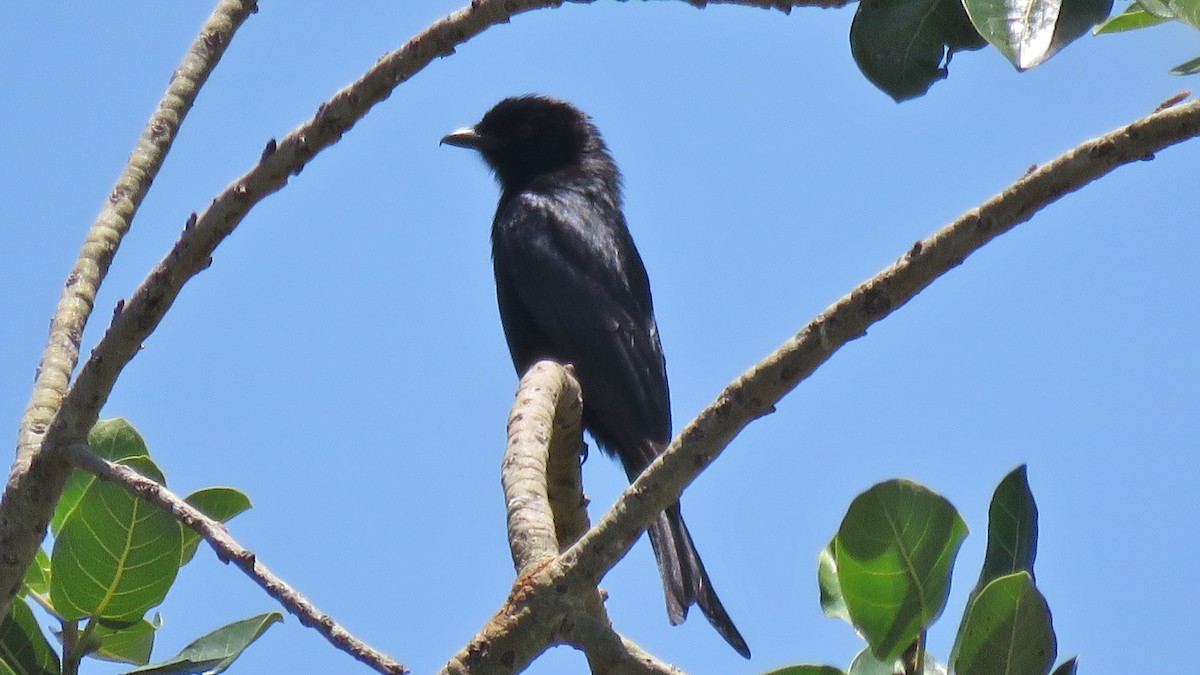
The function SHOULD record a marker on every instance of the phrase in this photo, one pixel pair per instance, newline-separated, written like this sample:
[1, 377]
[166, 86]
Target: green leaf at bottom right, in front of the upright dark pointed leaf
[1009, 630]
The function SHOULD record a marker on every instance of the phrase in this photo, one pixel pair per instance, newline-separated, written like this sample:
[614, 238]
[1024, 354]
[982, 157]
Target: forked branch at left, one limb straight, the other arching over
[58, 417]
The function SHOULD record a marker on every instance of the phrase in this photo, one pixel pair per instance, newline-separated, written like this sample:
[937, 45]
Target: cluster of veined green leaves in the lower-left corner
[115, 559]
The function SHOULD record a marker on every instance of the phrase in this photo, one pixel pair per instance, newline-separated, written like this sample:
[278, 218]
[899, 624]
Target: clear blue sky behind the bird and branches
[343, 361]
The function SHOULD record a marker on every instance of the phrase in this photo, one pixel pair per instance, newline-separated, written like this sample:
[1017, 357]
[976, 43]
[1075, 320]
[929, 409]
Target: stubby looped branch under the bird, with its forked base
[547, 512]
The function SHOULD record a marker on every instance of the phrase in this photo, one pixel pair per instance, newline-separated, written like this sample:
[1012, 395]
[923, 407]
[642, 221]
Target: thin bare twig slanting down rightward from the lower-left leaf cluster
[230, 551]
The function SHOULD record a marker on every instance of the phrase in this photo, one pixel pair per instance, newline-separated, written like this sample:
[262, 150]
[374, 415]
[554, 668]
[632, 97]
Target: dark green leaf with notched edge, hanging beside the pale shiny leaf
[905, 46]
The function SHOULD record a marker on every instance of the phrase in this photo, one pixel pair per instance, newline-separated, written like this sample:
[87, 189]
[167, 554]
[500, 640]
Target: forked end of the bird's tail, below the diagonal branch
[685, 580]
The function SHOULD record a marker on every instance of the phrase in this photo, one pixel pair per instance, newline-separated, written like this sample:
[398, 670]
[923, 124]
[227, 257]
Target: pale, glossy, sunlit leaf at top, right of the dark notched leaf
[1030, 32]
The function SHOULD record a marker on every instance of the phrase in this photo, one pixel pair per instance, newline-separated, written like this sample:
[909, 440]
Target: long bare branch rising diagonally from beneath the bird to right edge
[755, 392]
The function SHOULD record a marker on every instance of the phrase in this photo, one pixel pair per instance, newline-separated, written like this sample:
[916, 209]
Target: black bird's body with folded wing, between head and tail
[573, 288]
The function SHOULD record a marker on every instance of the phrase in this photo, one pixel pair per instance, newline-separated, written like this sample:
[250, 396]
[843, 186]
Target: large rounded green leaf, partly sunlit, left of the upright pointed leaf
[895, 552]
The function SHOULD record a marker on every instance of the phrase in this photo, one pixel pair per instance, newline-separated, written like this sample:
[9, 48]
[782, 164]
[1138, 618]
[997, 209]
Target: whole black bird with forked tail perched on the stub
[572, 288]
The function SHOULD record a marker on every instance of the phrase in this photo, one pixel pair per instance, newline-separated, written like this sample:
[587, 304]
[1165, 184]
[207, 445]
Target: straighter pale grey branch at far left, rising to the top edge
[35, 482]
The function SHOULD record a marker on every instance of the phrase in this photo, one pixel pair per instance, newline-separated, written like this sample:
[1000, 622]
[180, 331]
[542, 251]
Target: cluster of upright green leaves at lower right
[887, 574]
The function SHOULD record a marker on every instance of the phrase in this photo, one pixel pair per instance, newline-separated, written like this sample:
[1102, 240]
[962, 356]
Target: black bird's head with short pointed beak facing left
[526, 138]
